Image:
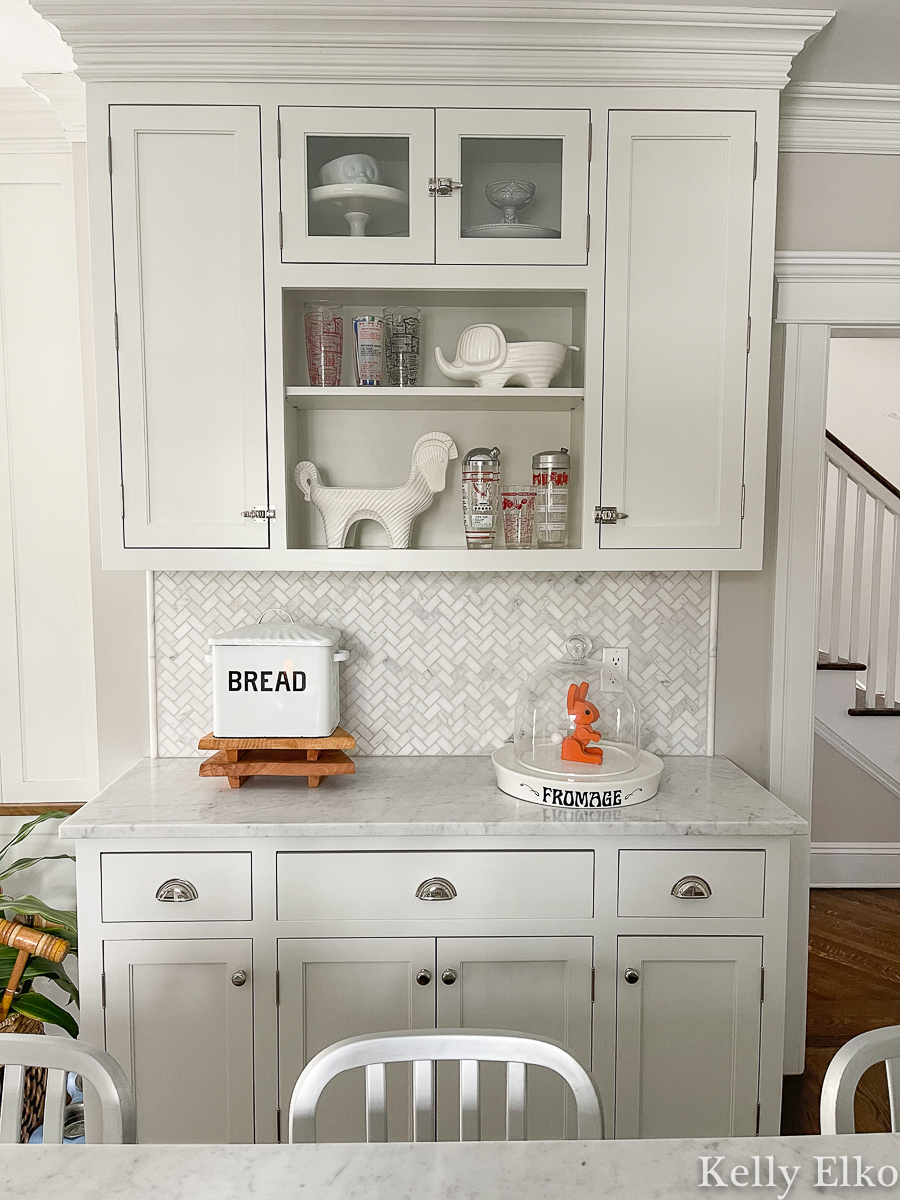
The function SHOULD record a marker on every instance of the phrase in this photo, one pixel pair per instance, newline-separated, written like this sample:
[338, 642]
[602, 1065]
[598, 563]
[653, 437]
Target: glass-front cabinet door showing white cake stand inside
[355, 185]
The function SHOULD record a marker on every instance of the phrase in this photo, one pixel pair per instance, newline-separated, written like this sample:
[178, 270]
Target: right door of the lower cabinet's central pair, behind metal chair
[538, 986]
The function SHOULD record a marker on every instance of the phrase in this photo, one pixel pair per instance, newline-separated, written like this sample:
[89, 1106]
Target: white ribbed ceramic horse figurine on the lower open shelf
[393, 508]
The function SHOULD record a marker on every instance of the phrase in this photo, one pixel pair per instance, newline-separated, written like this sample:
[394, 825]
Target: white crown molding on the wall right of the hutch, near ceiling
[839, 118]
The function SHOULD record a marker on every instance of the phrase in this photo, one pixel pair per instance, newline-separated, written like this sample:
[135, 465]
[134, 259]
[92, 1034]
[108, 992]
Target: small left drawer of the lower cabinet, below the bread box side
[130, 885]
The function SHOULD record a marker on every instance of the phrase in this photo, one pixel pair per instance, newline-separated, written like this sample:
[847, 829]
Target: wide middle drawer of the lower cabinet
[490, 885]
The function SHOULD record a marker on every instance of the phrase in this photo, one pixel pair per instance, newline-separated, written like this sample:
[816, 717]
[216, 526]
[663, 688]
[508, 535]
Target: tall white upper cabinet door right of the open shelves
[679, 229]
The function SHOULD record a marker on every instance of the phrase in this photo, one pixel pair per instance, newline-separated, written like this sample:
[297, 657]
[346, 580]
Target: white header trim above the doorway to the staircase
[838, 289]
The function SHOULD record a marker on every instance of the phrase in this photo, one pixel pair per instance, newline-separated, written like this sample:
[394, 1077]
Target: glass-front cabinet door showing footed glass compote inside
[512, 185]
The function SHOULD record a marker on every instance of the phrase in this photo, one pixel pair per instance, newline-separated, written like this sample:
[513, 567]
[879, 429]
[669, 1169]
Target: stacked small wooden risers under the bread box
[238, 759]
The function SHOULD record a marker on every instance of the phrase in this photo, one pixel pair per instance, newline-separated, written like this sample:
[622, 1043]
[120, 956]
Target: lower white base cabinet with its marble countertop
[309, 927]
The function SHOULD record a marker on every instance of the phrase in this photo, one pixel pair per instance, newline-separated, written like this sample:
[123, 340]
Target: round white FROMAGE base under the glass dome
[581, 789]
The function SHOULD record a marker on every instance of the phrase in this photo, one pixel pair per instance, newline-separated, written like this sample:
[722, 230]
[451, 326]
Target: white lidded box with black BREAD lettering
[277, 680]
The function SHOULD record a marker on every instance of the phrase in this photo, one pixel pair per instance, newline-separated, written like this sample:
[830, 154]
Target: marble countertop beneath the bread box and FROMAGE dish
[417, 797]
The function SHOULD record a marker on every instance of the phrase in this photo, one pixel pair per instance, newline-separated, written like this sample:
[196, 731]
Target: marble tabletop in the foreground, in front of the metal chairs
[538, 1171]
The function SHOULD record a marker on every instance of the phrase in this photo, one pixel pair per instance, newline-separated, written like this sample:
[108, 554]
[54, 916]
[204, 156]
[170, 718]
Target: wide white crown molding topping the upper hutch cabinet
[507, 41]
